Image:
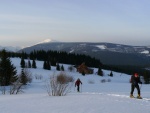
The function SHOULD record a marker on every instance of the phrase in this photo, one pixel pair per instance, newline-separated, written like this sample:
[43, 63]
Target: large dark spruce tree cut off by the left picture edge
[7, 70]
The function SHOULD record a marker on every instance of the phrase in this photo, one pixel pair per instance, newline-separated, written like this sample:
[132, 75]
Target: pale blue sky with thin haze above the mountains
[26, 22]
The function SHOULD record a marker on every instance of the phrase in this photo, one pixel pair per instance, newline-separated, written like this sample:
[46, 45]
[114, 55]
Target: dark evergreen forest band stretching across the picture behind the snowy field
[53, 58]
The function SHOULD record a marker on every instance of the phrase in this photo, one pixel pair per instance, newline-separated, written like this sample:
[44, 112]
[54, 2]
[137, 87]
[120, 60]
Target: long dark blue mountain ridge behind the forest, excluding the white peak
[108, 53]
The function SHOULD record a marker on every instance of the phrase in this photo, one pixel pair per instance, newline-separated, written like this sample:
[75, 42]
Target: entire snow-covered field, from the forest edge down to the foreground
[95, 96]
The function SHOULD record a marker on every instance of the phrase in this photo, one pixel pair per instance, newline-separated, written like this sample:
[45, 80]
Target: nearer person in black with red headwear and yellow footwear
[135, 79]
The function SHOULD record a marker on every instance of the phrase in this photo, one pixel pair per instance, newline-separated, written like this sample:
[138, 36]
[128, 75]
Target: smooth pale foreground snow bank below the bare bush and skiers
[84, 102]
